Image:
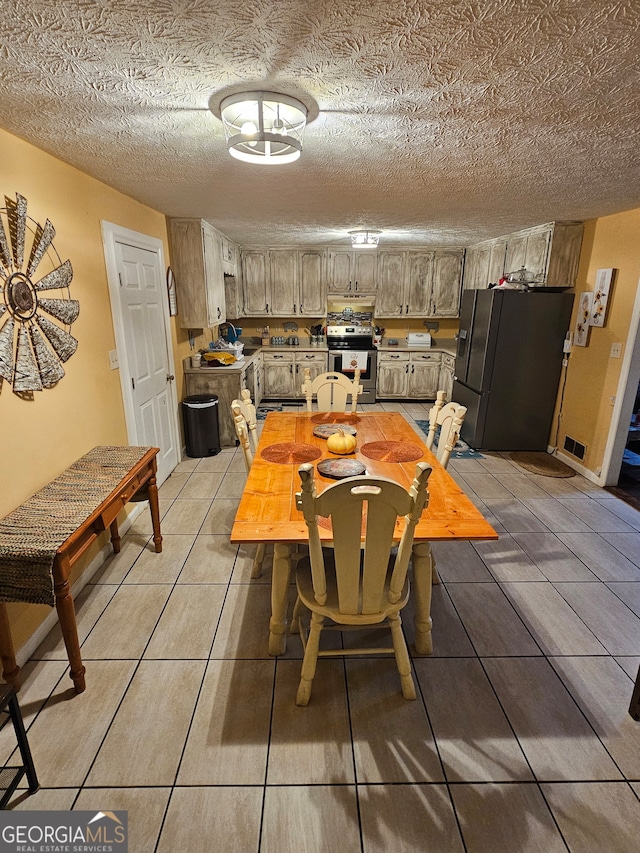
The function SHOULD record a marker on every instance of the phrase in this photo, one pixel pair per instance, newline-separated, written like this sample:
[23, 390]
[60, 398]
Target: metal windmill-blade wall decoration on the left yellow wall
[34, 283]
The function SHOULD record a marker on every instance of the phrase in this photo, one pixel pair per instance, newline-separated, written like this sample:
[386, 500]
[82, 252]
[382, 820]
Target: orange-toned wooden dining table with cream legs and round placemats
[387, 446]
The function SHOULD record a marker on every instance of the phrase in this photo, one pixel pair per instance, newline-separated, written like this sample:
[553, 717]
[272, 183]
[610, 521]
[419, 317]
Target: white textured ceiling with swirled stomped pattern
[440, 122]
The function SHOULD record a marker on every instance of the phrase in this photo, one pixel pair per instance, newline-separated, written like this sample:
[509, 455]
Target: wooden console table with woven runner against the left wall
[41, 540]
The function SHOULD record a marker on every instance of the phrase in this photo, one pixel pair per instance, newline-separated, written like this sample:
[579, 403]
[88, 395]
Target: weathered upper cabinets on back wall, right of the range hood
[419, 283]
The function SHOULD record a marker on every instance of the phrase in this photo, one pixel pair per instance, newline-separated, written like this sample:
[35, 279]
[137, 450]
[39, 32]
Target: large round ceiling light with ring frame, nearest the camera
[263, 127]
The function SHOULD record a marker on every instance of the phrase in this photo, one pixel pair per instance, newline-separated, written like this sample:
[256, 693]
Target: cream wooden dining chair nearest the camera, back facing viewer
[356, 583]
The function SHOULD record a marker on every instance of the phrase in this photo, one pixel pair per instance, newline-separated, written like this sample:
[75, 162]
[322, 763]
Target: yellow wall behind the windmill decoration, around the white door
[41, 437]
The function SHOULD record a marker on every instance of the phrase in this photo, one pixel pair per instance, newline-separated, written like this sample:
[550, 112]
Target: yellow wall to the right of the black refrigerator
[592, 375]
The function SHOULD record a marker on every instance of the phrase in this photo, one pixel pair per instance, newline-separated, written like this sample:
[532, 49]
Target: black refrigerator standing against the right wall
[508, 366]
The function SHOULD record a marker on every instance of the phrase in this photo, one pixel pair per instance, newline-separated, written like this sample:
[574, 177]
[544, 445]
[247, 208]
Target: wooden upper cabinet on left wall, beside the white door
[196, 260]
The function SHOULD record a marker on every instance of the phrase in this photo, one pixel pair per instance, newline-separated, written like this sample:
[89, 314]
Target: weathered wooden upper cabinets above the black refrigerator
[550, 251]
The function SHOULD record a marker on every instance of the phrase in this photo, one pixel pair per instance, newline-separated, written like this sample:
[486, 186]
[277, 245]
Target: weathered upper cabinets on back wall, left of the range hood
[284, 282]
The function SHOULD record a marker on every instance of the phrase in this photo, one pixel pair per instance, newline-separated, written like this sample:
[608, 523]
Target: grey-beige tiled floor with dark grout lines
[519, 741]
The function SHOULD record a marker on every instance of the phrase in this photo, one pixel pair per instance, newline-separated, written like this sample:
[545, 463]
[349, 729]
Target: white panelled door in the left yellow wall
[140, 309]
